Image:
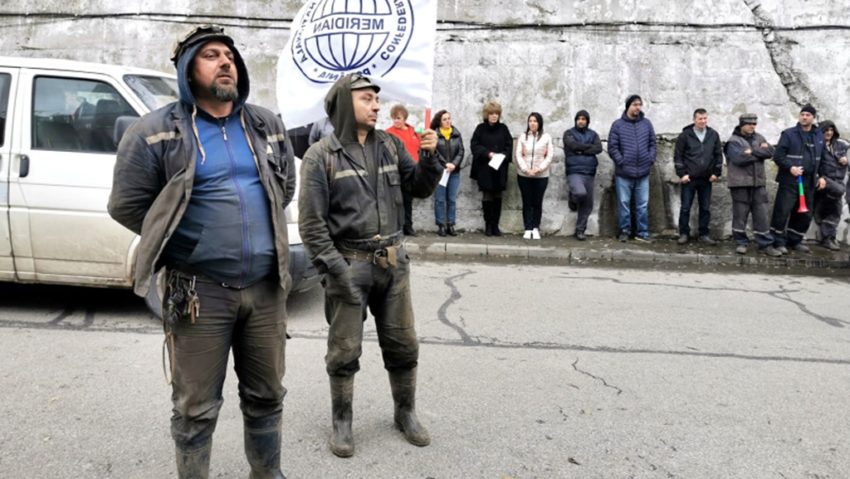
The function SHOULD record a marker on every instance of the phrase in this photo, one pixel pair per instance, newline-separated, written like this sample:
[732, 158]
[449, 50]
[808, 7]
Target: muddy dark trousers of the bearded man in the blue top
[252, 323]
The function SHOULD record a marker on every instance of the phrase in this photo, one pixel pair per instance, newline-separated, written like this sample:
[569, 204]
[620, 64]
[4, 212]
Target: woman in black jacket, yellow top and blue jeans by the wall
[450, 146]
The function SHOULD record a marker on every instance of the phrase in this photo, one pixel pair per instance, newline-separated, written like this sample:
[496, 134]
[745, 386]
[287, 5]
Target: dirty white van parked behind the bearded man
[60, 123]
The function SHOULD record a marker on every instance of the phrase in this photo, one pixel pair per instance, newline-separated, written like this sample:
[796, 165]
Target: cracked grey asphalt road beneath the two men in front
[525, 372]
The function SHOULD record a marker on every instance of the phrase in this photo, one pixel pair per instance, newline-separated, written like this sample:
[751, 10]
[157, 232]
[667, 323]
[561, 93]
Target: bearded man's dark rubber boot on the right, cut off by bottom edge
[262, 447]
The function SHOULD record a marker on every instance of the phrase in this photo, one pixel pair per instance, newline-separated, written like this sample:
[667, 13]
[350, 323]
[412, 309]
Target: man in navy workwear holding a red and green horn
[798, 155]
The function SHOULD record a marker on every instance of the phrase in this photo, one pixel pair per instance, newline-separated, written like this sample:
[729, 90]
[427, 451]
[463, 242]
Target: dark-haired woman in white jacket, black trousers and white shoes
[534, 152]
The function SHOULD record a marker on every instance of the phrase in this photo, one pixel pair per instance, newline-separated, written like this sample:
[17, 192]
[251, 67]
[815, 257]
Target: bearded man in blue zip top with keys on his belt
[205, 181]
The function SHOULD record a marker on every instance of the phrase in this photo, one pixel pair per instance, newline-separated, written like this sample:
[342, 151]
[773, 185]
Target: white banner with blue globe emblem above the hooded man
[390, 41]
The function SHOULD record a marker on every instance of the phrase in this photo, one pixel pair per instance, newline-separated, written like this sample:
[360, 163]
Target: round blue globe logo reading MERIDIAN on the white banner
[332, 38]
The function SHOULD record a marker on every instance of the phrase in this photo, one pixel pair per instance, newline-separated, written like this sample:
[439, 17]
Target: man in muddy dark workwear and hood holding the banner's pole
[351, 220]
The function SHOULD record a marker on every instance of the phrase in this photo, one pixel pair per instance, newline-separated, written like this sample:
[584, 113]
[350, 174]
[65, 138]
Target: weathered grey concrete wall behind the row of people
[550, 56]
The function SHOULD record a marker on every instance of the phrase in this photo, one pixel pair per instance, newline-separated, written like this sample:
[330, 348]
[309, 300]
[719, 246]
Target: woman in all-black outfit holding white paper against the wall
[492, 145]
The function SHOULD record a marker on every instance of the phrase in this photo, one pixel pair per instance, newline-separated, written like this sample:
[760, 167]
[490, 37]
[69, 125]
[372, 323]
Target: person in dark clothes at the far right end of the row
[833, 169]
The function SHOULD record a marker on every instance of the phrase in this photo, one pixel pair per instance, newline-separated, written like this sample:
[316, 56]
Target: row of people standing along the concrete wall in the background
[811, 160]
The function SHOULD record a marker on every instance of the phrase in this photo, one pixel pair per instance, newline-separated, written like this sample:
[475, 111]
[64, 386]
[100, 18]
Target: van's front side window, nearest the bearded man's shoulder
[70, 114]
